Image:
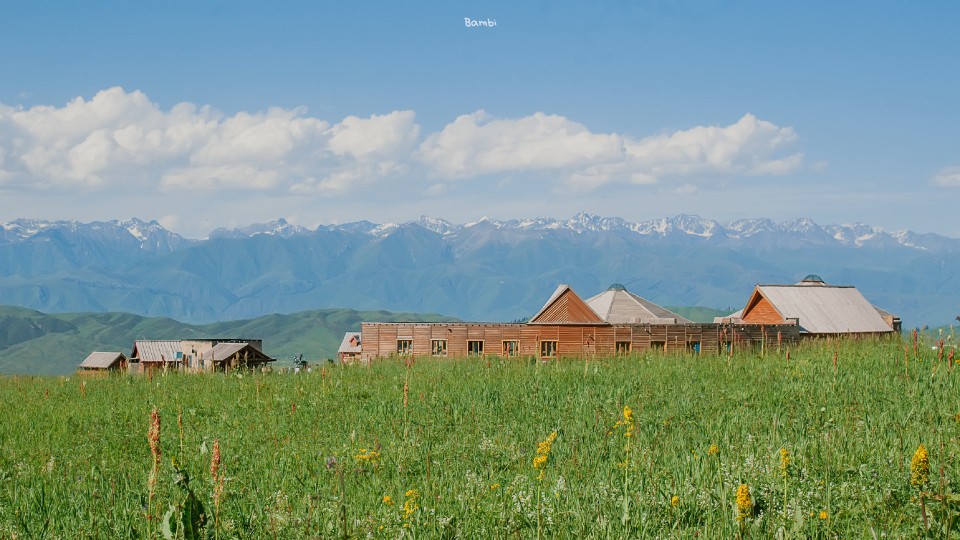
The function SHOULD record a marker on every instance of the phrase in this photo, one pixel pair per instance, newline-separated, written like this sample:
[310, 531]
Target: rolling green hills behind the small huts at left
[36, 343]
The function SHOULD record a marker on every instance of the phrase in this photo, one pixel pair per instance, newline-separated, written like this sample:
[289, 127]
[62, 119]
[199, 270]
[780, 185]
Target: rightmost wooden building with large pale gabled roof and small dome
[817, 308]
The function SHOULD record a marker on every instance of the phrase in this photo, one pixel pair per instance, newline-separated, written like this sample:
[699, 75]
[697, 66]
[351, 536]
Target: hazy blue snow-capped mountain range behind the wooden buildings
[487, 270]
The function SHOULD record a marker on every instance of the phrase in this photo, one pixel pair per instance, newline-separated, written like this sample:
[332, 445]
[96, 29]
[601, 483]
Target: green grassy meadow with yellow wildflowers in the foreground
[822, 444]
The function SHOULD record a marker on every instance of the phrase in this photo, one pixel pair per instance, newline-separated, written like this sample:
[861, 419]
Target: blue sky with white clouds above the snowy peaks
[222, 114]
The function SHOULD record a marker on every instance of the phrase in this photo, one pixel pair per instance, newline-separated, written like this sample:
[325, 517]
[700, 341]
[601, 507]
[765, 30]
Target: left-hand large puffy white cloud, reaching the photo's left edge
[119, 139]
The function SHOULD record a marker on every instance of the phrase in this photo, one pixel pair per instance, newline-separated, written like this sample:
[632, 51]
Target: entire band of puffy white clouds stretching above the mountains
[120, 140]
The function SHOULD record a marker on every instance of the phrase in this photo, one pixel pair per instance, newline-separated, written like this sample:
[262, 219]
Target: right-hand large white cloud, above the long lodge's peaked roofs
[474, 145]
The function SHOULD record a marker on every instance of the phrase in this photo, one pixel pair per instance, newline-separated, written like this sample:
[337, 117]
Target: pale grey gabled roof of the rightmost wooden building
[823, 309]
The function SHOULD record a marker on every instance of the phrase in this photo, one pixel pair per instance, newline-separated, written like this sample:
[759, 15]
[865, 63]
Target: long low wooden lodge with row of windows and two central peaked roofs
[615, 322]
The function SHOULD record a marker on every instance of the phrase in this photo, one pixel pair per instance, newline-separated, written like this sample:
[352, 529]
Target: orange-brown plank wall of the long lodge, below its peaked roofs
[379, 340]
